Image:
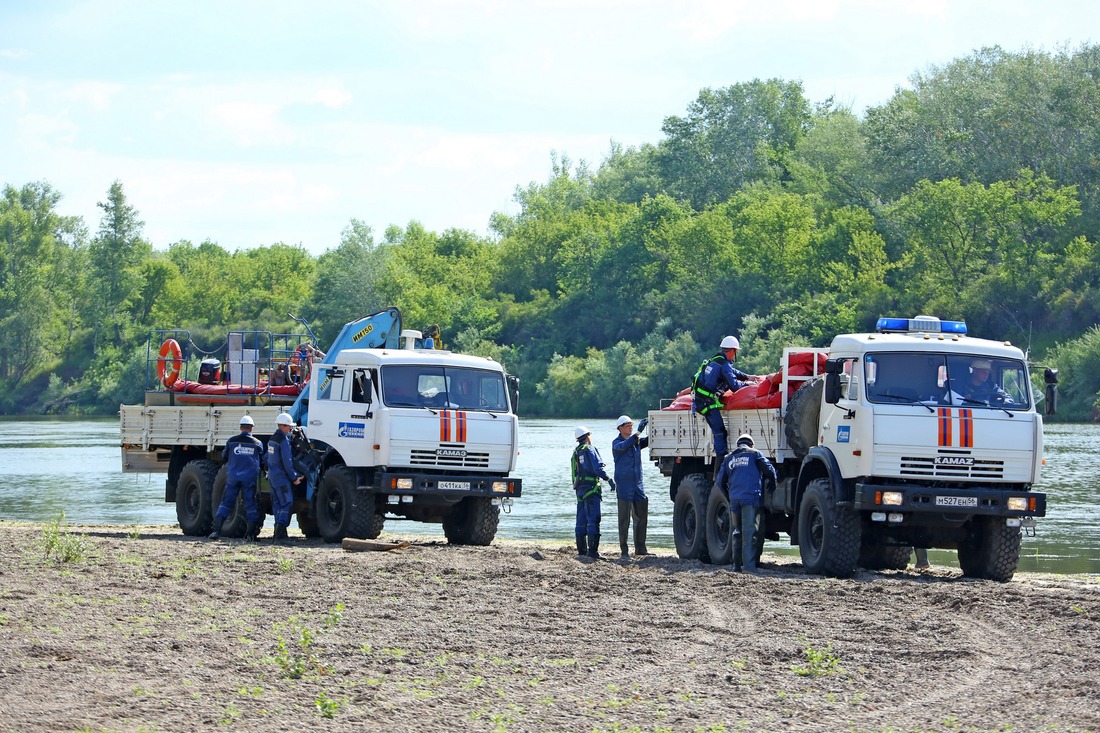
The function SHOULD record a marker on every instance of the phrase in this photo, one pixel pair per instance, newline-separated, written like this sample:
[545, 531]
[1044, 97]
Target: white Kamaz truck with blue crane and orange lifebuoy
[414, 433]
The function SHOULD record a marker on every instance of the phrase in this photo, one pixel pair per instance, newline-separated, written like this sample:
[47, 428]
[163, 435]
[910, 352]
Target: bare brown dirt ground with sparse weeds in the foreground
[145, 630]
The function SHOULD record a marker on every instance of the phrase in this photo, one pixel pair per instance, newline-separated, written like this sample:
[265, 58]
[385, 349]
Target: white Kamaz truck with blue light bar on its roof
[917, 435]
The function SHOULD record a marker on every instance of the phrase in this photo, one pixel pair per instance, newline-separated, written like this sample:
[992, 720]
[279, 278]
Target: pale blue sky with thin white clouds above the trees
[252, 123]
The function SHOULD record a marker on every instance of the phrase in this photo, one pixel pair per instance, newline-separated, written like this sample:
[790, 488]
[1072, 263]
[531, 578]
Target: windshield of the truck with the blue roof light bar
[938, 379]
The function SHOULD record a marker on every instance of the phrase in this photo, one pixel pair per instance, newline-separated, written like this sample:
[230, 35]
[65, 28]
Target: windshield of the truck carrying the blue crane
[444, 388]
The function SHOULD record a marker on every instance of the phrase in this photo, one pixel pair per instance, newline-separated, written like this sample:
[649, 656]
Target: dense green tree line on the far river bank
[975, 194]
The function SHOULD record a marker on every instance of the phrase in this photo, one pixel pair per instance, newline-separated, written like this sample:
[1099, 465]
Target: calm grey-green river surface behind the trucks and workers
[51, 466]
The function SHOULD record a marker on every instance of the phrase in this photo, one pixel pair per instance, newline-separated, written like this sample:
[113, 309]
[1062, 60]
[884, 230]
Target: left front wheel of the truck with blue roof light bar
[829, 535]
